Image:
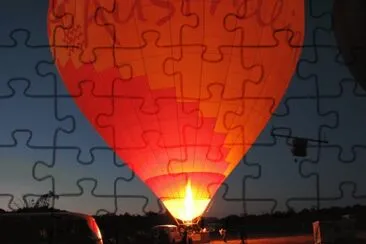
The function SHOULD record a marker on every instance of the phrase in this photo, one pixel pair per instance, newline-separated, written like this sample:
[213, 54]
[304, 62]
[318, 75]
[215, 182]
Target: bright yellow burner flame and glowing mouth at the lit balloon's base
[188, 208]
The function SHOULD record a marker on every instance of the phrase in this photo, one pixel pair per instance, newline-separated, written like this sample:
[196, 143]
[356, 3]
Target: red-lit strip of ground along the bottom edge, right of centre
[308, 239]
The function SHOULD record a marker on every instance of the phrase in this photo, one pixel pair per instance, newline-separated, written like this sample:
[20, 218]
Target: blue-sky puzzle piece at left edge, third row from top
[38, 110]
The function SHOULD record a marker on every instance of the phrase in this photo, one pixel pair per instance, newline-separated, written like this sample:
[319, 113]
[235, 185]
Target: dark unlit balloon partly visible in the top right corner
[349, 23]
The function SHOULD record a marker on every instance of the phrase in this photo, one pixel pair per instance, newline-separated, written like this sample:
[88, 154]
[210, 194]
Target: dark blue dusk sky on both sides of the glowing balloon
[38, 128]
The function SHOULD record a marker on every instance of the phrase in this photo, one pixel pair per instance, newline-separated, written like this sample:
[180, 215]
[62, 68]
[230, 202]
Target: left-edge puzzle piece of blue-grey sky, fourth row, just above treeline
[16, 165]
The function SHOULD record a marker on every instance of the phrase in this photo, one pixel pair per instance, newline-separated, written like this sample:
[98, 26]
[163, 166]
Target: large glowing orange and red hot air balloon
[179, 89]
